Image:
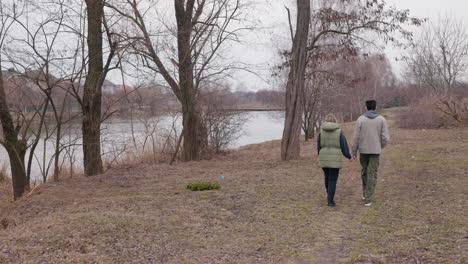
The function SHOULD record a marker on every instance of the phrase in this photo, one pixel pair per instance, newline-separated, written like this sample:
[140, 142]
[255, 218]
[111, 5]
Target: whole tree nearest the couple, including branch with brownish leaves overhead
[347, 21]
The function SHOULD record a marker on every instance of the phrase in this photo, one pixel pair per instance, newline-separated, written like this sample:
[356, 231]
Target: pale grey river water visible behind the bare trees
[117, 139]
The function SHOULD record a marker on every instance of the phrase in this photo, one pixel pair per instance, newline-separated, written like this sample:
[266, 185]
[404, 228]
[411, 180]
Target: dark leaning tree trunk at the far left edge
[16, 148]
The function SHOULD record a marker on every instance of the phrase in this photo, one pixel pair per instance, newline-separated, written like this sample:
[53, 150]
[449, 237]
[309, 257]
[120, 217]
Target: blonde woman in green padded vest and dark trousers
[331, 143]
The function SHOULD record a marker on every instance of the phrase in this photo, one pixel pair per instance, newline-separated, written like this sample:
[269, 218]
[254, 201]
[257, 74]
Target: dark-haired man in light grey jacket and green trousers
[370, 137]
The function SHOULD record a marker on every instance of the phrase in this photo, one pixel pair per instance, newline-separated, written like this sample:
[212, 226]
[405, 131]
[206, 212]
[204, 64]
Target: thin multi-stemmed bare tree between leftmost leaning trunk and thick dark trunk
[40, 46]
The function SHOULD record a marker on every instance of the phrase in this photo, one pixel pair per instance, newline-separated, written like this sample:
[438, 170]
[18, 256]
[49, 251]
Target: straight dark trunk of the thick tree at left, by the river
[91, 126]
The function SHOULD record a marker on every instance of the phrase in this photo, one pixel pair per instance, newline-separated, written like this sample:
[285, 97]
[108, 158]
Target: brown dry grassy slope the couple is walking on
[267, 211]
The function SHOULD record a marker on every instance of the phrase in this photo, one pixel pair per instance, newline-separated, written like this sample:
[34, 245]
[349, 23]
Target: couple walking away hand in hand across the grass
[370, 136]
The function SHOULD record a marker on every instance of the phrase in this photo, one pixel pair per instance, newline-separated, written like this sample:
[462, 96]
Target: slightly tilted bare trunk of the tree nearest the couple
[290, 144]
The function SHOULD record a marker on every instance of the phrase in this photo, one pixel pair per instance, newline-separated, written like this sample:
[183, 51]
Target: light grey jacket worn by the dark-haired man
[371, 134]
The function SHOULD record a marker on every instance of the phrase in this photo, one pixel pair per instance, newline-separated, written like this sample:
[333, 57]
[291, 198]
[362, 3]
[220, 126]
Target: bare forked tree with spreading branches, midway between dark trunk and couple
[202, 29]
